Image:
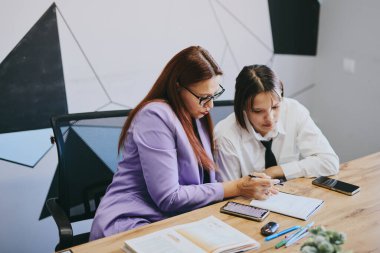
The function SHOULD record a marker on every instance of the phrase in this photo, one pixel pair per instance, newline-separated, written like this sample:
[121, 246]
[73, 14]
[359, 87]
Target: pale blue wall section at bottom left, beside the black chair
[22, 196]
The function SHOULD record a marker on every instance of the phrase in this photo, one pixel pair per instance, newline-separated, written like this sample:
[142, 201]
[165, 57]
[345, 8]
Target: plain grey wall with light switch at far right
[346, 105]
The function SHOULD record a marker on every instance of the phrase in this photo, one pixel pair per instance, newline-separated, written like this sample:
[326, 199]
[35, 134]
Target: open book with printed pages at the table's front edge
[206, 235]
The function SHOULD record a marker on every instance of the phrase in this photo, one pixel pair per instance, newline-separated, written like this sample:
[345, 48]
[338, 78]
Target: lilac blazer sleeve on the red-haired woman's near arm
[154, 132]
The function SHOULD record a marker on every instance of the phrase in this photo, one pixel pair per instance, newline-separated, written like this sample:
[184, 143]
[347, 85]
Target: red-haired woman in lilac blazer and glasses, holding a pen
[167, 146]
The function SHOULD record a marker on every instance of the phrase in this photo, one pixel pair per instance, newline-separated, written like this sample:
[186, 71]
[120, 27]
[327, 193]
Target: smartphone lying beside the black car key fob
[244, 211]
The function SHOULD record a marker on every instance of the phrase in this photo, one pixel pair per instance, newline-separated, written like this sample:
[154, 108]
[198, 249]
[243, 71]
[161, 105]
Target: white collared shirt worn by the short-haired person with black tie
[298, 144]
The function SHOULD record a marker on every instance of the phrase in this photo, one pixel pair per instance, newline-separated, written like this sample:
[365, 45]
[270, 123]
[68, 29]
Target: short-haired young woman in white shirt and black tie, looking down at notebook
[263, 114]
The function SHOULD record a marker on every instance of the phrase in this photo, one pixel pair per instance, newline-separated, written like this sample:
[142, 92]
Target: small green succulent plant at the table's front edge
[324, 241]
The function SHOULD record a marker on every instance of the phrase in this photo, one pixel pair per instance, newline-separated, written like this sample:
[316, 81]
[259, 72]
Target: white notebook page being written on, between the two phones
[288, 204]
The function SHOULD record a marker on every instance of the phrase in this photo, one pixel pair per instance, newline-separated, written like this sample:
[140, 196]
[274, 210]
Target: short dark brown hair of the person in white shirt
[251, 81]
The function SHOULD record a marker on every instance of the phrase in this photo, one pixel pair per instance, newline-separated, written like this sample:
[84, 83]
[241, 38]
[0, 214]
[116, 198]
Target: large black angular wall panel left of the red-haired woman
[31, 79]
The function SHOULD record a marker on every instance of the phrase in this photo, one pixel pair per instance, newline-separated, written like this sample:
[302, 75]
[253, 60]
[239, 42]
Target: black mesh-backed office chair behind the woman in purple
[87, 145]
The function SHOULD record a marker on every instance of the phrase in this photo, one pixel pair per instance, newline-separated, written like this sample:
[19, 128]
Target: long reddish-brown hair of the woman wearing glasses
[189, 66]
